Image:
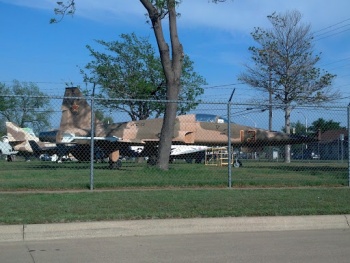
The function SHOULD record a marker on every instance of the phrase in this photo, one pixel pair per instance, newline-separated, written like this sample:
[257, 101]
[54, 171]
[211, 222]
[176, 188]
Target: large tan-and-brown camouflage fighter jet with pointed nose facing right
[192, 129]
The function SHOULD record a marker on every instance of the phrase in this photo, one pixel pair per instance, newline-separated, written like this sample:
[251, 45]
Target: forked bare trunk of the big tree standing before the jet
[172, 69]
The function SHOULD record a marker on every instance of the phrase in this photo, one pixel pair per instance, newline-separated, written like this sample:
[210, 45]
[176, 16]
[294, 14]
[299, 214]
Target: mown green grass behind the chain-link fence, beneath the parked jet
[35, 175]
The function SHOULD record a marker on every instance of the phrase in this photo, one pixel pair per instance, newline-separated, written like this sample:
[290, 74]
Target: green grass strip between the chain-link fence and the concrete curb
[32, 208]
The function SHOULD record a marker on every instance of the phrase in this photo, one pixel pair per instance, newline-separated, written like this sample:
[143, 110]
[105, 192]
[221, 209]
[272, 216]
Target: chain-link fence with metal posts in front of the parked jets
[57, 154]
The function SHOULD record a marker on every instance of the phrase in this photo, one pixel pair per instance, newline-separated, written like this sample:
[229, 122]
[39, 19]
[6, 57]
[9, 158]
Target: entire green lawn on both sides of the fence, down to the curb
[30, 191]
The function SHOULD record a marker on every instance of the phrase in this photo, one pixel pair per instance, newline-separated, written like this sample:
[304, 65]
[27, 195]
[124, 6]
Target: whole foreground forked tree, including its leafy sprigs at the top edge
[171, 56]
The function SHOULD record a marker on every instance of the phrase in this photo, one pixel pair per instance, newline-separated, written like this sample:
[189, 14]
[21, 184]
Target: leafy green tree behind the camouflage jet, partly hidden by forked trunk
[130, 71]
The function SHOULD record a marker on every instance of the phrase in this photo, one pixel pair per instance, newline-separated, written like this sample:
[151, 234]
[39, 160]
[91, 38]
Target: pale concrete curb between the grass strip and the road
[170, 227]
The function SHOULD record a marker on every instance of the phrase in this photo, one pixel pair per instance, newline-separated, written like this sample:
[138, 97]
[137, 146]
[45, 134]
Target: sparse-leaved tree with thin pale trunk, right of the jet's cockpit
[285, 66]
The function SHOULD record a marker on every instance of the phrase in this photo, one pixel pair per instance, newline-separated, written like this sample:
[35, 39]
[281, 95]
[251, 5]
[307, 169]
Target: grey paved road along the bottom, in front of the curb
[266, 246]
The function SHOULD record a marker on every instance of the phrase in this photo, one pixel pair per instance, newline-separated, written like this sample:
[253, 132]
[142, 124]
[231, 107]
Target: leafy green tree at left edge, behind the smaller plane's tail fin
[24, 104]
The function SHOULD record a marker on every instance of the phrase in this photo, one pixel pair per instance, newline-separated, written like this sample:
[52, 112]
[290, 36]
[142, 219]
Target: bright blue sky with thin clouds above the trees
[216, 37]
